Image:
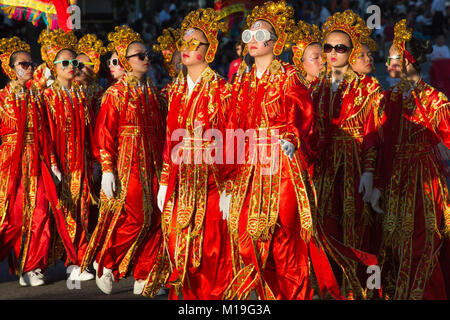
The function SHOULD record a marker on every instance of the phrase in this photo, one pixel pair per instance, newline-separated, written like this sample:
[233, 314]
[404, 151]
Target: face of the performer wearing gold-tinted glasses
[197, 56]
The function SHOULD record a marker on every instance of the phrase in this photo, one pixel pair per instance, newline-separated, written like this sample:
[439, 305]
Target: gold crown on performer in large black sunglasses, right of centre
[350, 23]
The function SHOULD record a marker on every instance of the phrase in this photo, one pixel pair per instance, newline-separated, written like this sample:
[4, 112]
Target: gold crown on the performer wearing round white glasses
[280, 16]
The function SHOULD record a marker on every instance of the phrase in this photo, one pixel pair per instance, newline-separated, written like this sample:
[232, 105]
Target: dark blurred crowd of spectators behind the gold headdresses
[429, 18]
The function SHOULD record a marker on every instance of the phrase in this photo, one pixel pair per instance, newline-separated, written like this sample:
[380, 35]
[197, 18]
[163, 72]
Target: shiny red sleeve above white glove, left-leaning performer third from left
[105, 132]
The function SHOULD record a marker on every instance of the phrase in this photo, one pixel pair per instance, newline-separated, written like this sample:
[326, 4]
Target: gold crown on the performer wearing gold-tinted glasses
[206, 20]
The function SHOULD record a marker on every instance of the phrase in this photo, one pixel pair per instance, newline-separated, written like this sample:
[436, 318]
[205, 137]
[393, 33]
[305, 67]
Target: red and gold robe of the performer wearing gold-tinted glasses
[196, 236]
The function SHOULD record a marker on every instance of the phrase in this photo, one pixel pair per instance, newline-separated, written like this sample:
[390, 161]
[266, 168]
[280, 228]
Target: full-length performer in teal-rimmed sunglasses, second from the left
[70, 122]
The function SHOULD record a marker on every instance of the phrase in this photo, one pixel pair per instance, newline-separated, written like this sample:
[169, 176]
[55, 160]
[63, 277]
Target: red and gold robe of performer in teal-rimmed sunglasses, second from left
[71, 131]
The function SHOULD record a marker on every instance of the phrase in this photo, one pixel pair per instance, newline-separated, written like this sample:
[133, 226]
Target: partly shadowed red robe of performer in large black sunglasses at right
[346, 125]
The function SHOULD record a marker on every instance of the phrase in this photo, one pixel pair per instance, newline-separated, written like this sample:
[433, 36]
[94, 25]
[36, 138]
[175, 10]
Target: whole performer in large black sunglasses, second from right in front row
[344, 104]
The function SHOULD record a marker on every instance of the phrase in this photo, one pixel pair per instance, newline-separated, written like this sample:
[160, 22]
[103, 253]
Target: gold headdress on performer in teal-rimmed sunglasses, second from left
[52, 42]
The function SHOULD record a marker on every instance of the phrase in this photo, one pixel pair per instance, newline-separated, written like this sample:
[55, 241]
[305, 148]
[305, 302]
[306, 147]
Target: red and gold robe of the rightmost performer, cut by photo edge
[416, 220]
